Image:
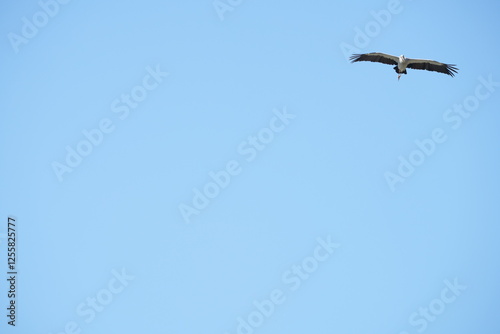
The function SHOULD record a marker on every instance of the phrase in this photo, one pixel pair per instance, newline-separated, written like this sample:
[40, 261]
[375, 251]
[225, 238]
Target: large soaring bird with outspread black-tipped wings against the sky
[402, 63]
